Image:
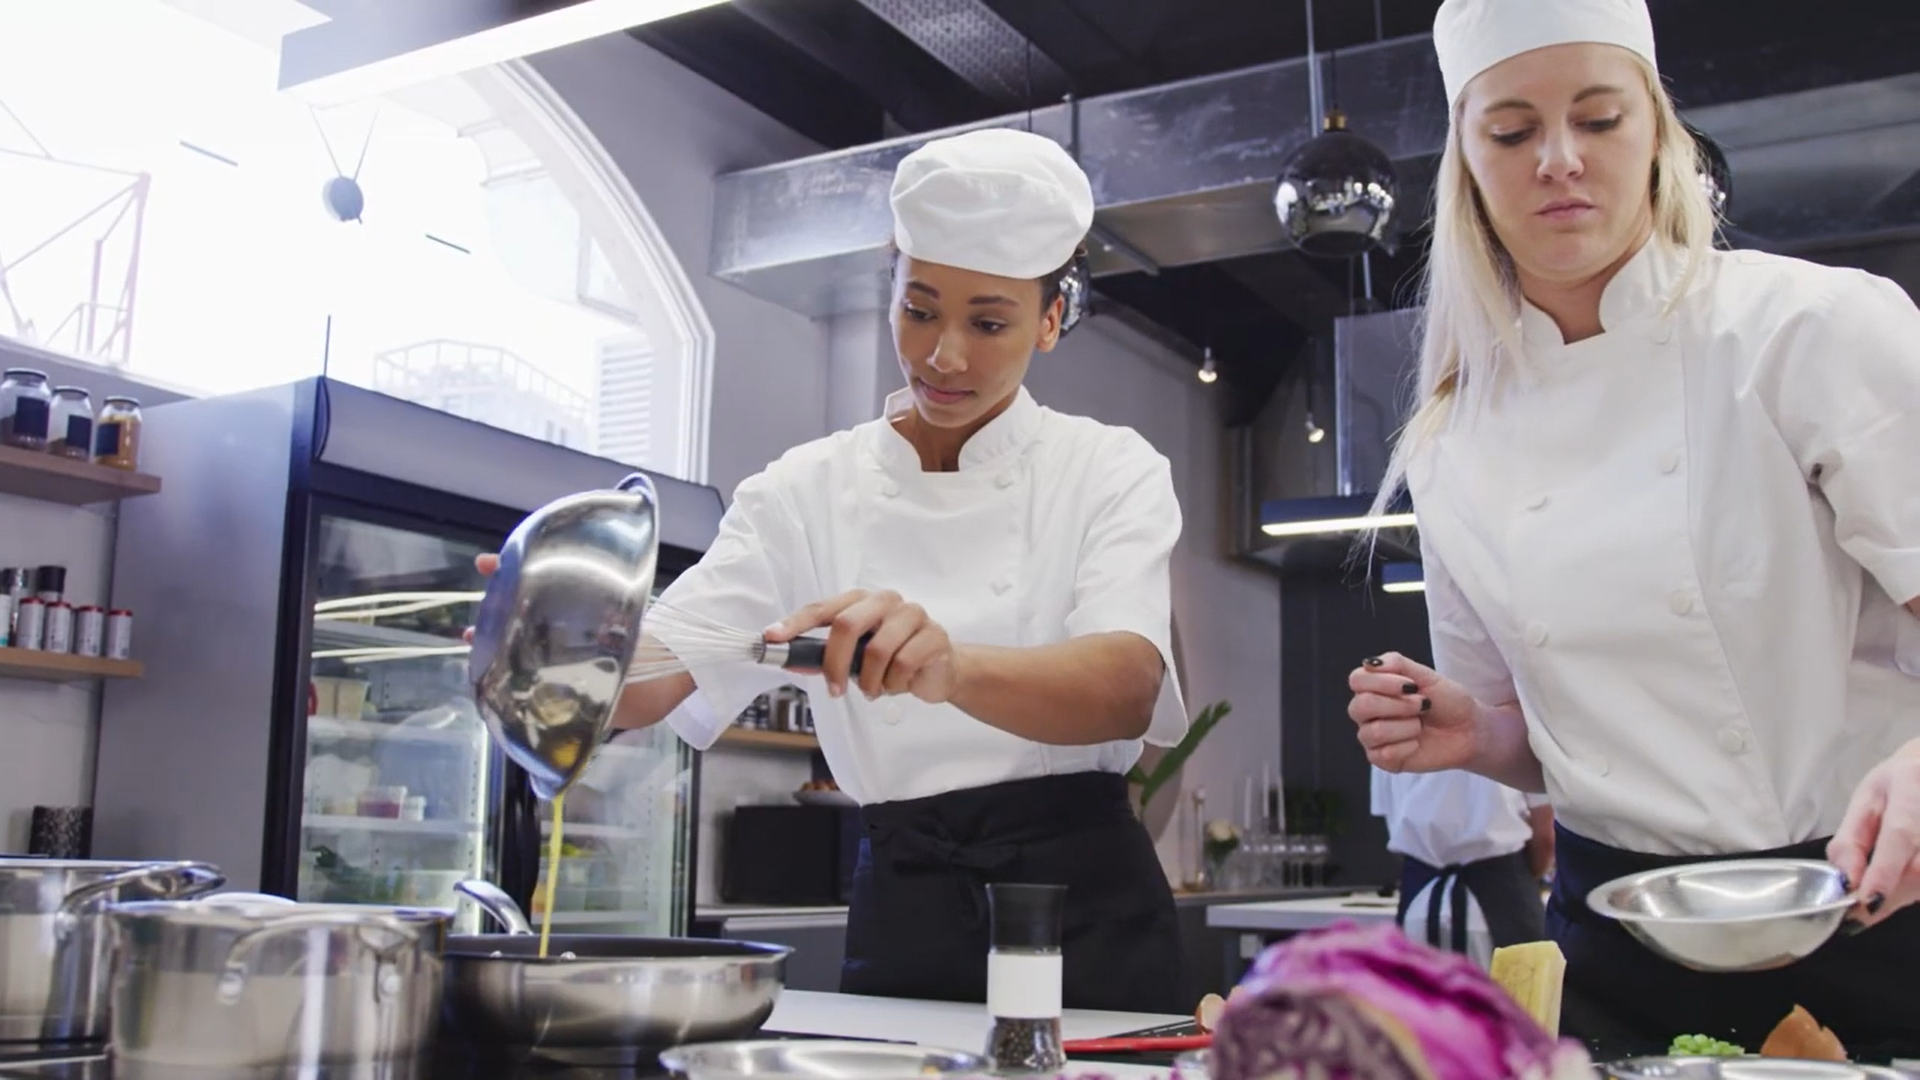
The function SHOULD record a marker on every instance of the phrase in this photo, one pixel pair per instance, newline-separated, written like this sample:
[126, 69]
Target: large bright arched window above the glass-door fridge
[468, 245]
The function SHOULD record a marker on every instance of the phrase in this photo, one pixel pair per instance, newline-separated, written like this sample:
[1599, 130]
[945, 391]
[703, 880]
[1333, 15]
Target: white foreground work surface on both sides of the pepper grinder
[948, 1025]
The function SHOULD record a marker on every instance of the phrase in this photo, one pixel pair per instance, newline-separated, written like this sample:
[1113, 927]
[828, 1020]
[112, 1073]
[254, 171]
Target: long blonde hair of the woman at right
[1472, 299]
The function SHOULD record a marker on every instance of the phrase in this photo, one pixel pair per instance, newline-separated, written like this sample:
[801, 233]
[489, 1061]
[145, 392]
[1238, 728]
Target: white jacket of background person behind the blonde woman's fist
[1452, 818]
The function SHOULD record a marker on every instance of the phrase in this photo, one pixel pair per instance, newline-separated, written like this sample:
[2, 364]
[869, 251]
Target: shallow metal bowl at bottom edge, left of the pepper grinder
[819, 1060]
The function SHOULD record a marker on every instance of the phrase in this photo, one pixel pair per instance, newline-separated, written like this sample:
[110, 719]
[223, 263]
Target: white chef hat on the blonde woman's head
[1474, 36]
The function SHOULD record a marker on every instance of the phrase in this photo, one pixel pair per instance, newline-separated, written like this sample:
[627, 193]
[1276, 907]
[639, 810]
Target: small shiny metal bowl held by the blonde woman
[1731, 918]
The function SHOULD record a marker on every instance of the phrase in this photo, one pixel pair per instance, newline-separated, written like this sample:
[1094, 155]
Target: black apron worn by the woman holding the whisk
[919, 923]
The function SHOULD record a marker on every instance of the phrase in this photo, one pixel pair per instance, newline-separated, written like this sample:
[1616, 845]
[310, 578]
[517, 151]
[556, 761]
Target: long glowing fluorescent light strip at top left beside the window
[498, 45]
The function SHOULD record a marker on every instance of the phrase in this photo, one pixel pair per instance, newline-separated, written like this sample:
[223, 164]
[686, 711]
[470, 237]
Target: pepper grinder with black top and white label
[1024, 975]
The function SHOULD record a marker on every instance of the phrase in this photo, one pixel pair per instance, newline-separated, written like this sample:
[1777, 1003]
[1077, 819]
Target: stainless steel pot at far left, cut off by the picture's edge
[55, 943]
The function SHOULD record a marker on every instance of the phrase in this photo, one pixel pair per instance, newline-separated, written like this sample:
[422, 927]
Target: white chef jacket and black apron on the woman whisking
[1053, 528]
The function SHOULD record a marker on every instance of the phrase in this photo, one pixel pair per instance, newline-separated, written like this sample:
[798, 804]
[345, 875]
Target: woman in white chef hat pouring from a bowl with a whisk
[1009, 566]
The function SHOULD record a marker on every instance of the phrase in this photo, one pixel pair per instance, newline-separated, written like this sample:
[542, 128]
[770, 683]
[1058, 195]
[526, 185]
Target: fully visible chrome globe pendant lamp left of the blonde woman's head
[1337, 193]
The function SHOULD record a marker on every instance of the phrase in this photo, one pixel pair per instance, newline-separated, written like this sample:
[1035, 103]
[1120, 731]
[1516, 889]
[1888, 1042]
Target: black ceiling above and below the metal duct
[848, 74]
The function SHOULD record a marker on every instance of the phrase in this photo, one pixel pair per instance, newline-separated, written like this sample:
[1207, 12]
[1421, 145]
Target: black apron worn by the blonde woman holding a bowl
[1861, 985]
